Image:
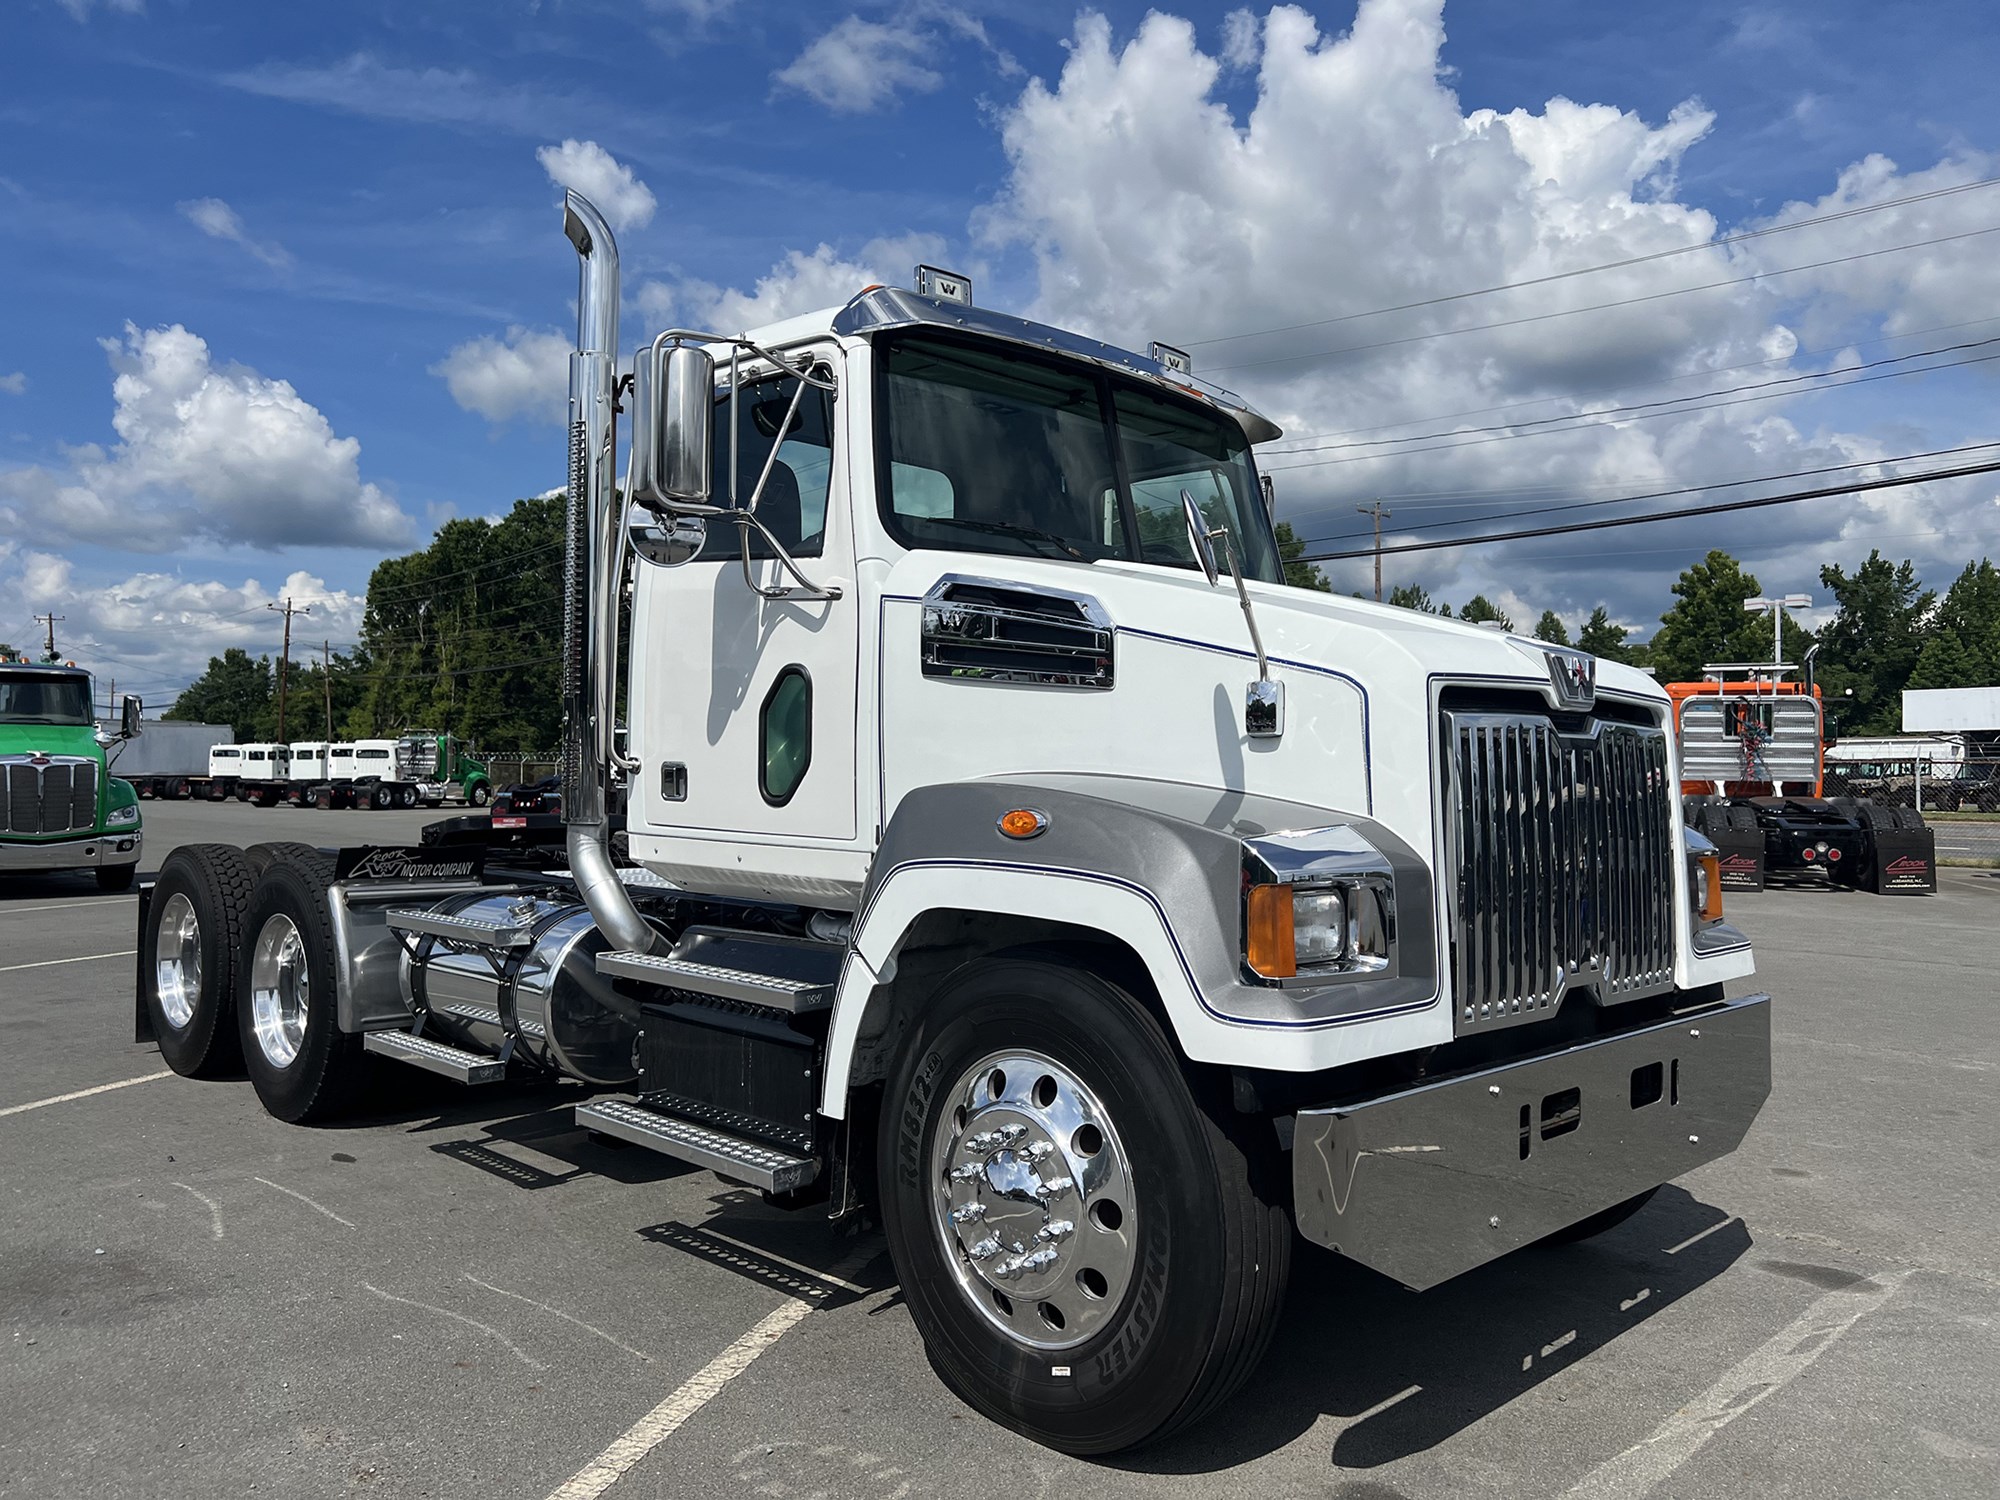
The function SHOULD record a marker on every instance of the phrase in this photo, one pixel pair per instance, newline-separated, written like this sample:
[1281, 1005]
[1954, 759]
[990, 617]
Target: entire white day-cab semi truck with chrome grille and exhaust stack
[1009, 871]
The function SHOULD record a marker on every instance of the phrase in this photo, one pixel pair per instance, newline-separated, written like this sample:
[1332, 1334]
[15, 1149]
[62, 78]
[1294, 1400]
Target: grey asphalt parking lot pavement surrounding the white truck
[463, 1295]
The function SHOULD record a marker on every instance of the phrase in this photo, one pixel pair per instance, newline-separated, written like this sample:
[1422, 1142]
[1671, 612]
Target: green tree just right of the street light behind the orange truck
[1873, 643]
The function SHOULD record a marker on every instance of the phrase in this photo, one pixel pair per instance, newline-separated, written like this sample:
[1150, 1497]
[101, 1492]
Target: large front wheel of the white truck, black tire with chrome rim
[1095, 1317]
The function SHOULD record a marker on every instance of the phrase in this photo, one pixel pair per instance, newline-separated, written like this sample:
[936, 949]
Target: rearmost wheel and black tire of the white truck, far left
[189, 955]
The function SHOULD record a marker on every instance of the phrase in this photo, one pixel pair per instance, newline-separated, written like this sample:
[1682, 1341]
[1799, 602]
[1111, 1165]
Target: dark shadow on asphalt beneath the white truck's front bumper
[1409, 1371]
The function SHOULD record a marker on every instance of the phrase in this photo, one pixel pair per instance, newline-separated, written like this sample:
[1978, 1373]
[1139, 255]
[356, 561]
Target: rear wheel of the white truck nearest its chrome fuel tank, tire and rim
[299, 1061]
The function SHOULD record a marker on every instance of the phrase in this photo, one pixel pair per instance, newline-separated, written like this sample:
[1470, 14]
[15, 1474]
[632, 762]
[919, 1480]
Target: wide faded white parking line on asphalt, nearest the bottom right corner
[1763, 1373]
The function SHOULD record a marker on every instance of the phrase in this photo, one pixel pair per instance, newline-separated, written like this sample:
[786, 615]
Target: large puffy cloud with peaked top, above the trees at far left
[205, 453]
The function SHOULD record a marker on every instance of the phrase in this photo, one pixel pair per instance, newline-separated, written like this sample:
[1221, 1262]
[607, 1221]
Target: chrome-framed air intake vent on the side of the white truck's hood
[1015, 633]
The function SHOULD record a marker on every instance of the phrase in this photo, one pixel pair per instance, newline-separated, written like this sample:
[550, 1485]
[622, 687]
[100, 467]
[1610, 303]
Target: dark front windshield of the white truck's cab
[999, 451]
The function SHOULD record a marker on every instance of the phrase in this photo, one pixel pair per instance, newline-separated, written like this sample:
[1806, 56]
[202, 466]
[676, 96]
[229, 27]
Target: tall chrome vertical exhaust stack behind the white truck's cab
[591, 559]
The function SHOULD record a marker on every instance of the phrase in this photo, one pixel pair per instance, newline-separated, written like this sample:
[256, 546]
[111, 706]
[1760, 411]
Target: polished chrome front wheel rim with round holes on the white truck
[1033, 1201]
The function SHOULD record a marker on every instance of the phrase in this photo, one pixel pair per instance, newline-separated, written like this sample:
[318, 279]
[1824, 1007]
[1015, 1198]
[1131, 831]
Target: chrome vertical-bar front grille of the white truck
[1563, 857]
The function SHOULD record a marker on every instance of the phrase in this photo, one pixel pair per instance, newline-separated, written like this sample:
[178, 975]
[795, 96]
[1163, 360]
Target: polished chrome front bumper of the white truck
[1441, 1179]
